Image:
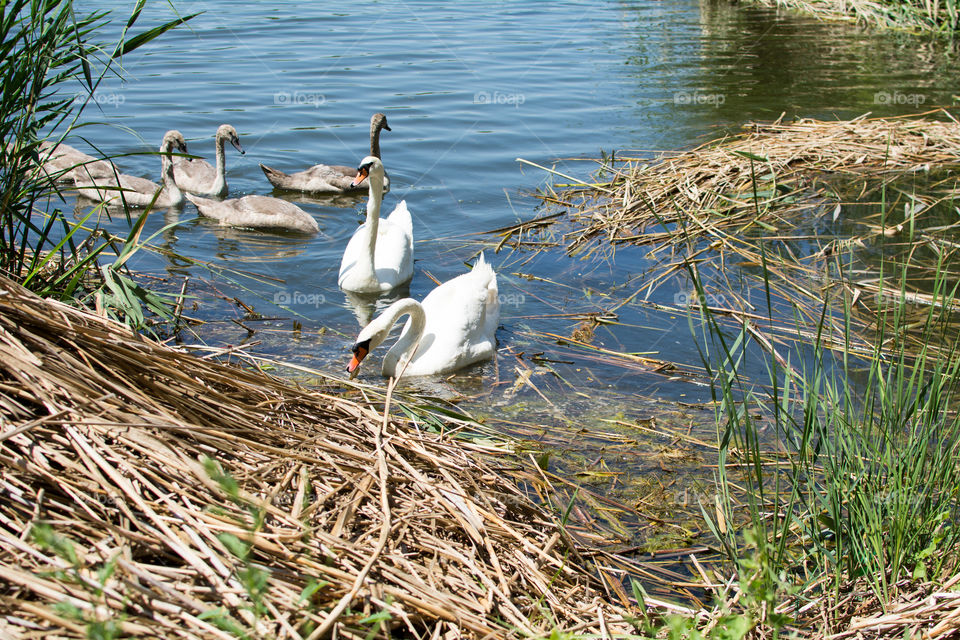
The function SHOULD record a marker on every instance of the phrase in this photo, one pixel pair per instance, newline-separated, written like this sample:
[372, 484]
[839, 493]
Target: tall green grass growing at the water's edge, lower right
[839, 469]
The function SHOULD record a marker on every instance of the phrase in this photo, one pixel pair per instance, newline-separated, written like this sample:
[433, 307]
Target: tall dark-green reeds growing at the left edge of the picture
[49, 56]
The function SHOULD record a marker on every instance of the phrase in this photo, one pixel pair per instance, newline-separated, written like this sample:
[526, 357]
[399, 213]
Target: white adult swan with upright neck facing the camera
[379, 256]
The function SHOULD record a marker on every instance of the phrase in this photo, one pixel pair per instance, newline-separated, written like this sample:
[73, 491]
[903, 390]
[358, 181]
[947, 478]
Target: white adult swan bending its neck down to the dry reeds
[454, 326]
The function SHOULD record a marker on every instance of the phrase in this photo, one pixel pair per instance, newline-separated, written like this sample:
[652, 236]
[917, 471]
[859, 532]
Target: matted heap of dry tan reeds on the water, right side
[710, 191]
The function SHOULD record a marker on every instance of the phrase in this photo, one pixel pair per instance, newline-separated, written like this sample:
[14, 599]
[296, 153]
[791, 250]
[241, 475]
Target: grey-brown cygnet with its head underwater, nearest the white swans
[257, 212]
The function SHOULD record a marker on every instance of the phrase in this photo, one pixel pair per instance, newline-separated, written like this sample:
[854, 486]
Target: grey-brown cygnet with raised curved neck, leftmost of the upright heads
[135, 191]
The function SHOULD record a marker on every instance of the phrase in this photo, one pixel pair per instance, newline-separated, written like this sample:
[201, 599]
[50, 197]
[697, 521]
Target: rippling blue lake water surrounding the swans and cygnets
[468, 88]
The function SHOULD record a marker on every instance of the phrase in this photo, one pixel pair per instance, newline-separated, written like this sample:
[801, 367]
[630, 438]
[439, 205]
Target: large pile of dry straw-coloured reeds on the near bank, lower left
[147, 492]
